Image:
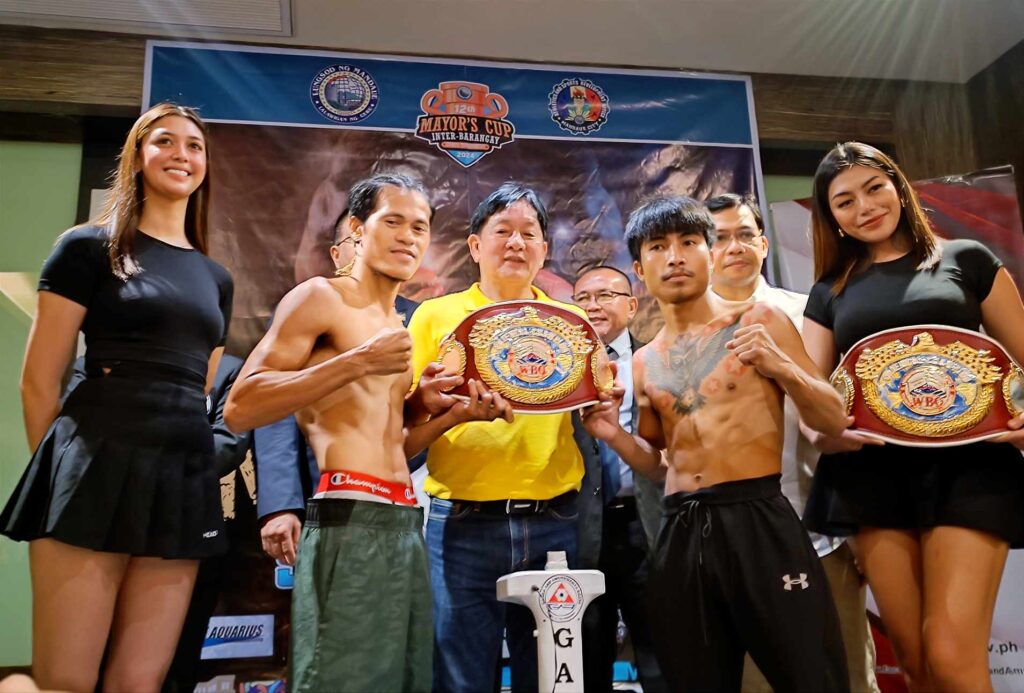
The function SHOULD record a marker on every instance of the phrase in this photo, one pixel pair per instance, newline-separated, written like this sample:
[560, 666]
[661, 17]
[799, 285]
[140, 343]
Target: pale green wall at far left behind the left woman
[38, 198]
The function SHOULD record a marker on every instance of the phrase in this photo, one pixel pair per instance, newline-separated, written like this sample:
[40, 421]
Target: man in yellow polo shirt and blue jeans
[502, 495]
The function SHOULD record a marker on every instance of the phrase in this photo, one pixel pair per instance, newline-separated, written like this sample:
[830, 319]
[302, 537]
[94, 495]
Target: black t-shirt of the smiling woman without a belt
[175, 313]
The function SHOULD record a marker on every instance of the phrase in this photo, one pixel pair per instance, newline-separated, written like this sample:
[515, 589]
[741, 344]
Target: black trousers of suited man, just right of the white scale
[624, 562]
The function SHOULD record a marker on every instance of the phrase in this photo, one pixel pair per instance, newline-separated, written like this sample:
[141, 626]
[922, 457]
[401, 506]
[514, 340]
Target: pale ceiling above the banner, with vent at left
[933, 40]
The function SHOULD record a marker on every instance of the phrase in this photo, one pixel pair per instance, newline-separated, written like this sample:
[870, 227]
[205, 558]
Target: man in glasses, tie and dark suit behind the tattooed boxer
[620, 511]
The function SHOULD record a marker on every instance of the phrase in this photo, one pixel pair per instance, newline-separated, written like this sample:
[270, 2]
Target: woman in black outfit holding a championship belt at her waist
[932, 527]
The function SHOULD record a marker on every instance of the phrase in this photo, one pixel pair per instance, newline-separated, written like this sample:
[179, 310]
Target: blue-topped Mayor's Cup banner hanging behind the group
[292, 131]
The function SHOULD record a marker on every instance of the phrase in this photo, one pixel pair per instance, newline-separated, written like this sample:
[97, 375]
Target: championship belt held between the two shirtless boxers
[539, 357]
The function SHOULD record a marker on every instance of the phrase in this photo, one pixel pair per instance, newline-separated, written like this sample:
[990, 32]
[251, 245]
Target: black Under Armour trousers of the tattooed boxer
[735, 572]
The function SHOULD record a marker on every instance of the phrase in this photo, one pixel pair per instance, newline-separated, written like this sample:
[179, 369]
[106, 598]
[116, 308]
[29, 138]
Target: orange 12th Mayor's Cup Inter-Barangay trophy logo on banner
[465, 120]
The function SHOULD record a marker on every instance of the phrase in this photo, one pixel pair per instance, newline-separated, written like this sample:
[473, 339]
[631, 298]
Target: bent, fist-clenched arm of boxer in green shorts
[274, 383]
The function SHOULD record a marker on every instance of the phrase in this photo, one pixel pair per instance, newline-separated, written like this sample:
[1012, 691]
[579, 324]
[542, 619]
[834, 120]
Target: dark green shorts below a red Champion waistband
[362, 604]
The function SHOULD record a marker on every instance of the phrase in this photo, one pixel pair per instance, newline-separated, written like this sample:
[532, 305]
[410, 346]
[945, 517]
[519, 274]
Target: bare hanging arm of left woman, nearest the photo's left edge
[53, 341]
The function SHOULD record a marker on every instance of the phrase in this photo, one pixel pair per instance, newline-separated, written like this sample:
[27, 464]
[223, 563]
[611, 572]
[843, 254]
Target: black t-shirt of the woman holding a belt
[895, 294]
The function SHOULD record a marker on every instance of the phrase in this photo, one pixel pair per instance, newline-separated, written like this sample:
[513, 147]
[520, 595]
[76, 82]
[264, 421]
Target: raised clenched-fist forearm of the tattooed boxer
[770, 342]
